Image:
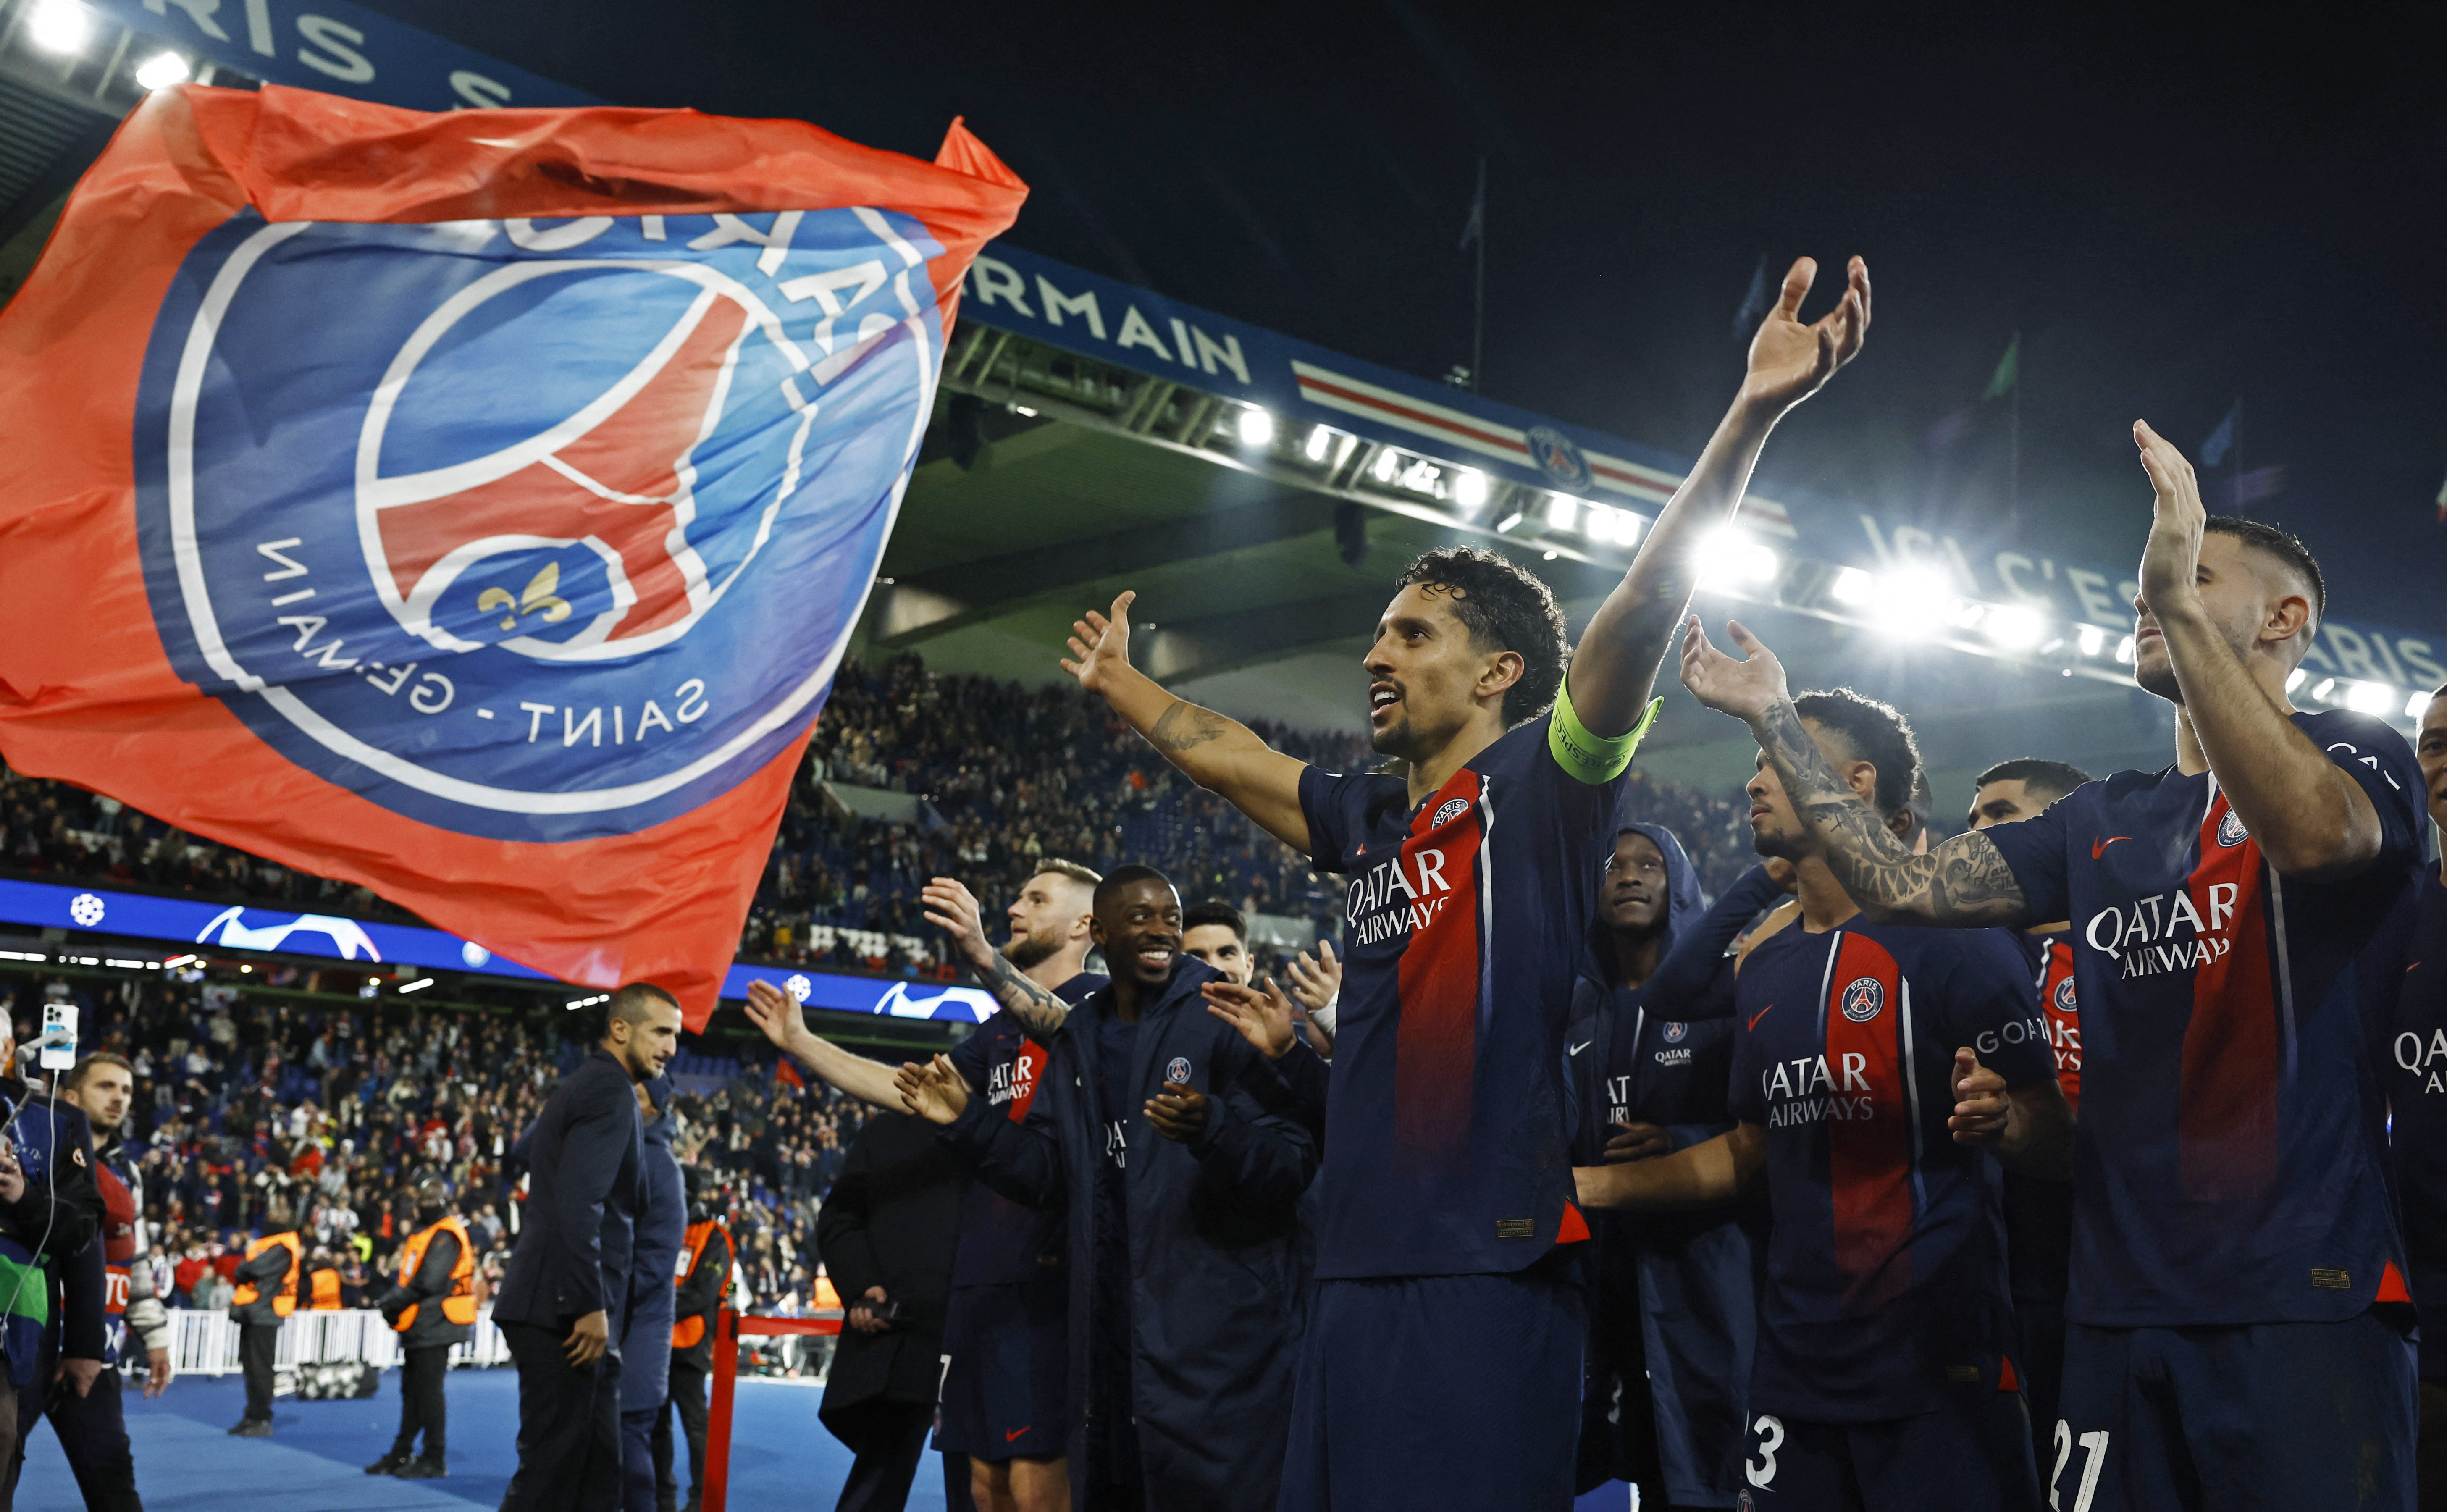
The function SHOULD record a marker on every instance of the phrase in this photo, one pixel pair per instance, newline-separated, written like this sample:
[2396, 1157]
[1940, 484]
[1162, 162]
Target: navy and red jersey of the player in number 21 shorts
[2230, 1156]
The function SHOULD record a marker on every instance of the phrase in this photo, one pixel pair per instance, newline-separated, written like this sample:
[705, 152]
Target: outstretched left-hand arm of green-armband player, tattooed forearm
[1215, 752]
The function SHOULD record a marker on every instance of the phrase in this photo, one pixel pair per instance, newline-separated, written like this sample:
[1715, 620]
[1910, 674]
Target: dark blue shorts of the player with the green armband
[1443, 1391]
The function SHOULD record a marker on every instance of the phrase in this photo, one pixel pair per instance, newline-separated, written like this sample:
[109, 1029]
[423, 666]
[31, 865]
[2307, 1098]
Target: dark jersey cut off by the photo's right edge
[2419, 1105]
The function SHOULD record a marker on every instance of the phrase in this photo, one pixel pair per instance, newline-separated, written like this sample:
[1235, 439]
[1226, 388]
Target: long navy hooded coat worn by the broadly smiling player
[1220, 1259]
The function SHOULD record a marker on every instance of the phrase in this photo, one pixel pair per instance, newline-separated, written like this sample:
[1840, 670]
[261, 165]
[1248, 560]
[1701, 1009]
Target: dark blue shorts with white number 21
[2250, 1418]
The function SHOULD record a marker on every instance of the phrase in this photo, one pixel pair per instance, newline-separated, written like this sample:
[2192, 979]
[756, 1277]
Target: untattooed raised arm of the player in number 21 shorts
[2304, 811]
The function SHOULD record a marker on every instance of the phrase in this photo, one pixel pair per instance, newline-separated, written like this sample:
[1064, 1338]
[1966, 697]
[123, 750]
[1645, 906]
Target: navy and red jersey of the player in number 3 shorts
[1885, 1266]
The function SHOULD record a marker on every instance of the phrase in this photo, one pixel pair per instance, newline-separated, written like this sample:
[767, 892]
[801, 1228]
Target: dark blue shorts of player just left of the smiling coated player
[1009, 1364]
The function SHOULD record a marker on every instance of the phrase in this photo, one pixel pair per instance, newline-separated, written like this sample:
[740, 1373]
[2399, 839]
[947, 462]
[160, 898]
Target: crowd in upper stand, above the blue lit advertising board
[1000, 774]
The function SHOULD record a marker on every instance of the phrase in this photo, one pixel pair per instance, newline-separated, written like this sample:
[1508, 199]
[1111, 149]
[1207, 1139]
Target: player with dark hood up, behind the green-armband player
[1670, 1303]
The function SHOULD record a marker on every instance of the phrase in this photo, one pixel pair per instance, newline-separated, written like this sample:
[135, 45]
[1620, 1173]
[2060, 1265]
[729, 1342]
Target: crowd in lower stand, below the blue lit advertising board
[258, 1112]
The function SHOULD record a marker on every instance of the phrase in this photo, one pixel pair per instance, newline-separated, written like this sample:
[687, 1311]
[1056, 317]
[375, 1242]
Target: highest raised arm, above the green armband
[1616, 667]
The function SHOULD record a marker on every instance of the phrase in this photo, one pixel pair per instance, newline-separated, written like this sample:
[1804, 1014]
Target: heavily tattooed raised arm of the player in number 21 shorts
[1959, 882]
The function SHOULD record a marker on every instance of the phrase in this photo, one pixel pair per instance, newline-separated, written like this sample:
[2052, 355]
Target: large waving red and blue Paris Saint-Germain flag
[471, 505]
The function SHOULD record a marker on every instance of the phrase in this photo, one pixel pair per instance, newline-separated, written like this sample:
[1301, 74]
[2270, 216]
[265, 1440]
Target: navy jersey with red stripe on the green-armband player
[1465, 928]
